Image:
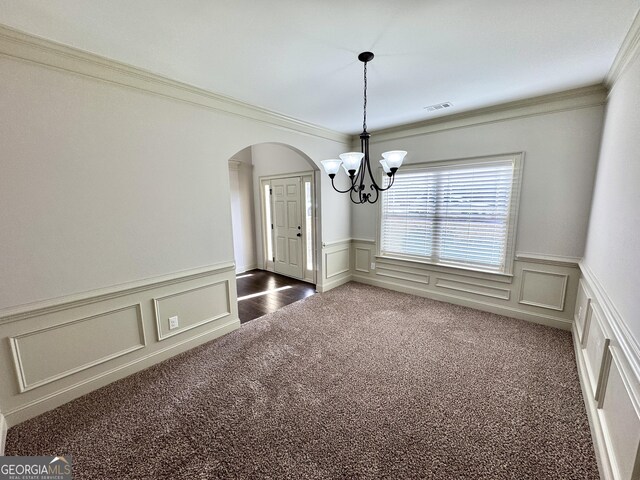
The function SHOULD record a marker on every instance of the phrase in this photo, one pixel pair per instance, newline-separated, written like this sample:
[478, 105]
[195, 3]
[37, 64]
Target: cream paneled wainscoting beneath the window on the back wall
[541, 289]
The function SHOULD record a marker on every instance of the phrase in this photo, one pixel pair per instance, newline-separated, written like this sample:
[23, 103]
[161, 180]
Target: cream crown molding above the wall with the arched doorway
[31, 48]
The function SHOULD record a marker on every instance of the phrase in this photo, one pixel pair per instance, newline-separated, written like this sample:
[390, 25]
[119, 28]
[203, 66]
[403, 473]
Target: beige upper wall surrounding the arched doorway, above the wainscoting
[103, 185]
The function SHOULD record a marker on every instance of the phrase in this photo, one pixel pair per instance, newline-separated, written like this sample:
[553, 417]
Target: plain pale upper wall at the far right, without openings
[613, 240]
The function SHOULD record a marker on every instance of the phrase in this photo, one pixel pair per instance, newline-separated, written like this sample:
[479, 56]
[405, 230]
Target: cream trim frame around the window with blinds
[518, 166]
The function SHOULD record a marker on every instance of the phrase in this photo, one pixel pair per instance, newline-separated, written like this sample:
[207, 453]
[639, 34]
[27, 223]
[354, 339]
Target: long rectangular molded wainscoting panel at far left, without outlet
[49, 354]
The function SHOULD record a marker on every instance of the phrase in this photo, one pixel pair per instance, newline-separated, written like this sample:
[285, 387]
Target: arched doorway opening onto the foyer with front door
[275, 218]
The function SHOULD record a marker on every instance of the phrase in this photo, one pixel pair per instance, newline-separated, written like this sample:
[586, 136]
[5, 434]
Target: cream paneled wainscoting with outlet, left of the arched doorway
[60, 351]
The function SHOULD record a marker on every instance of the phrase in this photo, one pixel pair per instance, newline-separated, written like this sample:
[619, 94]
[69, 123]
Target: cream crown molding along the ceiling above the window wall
[583, 97]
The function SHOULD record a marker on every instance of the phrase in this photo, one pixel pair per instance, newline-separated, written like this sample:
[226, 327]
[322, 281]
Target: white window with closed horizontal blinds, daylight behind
[455, 213]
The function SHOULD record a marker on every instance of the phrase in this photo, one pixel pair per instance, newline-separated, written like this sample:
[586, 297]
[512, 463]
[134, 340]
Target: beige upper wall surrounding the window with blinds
[561, 150]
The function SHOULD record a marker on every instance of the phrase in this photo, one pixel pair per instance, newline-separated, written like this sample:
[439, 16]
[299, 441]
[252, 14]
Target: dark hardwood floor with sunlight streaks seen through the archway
[255, 298]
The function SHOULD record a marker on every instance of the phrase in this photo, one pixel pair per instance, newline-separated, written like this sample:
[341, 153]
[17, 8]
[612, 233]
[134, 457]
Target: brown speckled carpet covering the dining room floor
[359, 382]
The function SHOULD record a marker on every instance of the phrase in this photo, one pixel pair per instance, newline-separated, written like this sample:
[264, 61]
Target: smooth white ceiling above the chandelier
[299, 57]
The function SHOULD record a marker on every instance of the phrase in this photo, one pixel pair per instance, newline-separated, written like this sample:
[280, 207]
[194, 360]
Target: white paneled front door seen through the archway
[287, 226]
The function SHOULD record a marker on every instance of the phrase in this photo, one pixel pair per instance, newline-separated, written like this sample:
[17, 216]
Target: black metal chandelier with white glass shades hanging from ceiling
[356, 164]
